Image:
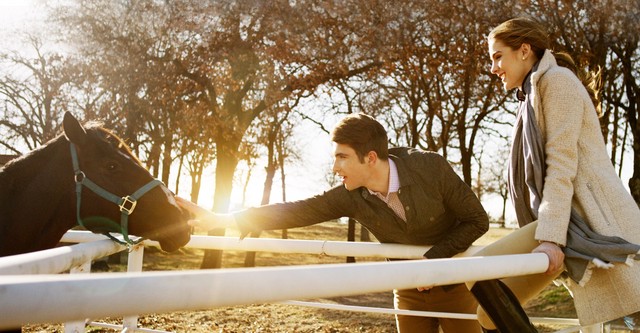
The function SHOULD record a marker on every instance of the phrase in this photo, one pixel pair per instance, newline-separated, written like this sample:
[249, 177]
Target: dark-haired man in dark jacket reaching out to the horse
[401, 195]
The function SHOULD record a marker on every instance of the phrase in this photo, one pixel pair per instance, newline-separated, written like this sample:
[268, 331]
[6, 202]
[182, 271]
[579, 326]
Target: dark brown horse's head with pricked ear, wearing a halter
[103, 158]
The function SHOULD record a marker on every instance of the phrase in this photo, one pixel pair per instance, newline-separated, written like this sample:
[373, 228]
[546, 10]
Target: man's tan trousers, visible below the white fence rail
[457, 299]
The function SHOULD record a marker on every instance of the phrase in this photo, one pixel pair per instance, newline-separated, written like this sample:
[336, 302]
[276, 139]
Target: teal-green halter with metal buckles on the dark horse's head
[126, 204]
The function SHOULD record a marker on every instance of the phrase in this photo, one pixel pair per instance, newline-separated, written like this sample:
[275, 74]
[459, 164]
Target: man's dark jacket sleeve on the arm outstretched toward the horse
[320, 208]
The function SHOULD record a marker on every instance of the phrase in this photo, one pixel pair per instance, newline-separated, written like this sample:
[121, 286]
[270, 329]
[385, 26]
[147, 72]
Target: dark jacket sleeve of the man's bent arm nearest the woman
[471, 218]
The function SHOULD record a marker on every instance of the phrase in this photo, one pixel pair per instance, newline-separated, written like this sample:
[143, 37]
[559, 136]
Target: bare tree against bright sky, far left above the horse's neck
[34, 93]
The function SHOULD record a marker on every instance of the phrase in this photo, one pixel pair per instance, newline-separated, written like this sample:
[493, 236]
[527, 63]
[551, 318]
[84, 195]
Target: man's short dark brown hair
[362, 133]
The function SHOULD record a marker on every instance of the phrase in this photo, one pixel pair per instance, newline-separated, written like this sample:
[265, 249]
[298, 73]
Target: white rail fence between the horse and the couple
[73, 297]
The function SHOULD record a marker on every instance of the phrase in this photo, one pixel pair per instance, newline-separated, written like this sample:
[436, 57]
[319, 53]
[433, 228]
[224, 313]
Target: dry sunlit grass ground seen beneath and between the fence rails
[553, 302]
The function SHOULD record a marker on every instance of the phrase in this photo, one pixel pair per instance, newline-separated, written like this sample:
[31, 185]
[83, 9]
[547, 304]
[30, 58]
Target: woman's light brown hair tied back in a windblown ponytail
[517, 31]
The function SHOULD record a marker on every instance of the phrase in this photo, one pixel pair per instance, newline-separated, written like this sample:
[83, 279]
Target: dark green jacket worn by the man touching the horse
[441, 210]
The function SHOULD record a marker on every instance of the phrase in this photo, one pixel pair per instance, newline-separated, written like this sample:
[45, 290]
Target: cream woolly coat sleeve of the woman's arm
[562, 99]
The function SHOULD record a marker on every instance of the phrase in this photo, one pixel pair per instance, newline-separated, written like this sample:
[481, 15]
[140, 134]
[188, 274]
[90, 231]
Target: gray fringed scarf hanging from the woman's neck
[585, 248]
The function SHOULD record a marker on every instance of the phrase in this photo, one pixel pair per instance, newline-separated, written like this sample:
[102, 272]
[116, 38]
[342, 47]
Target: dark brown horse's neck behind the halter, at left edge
[37, 192]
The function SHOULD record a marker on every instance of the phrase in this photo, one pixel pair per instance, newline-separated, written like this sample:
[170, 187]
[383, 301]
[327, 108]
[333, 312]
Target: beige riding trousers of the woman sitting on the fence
[525, 287]
